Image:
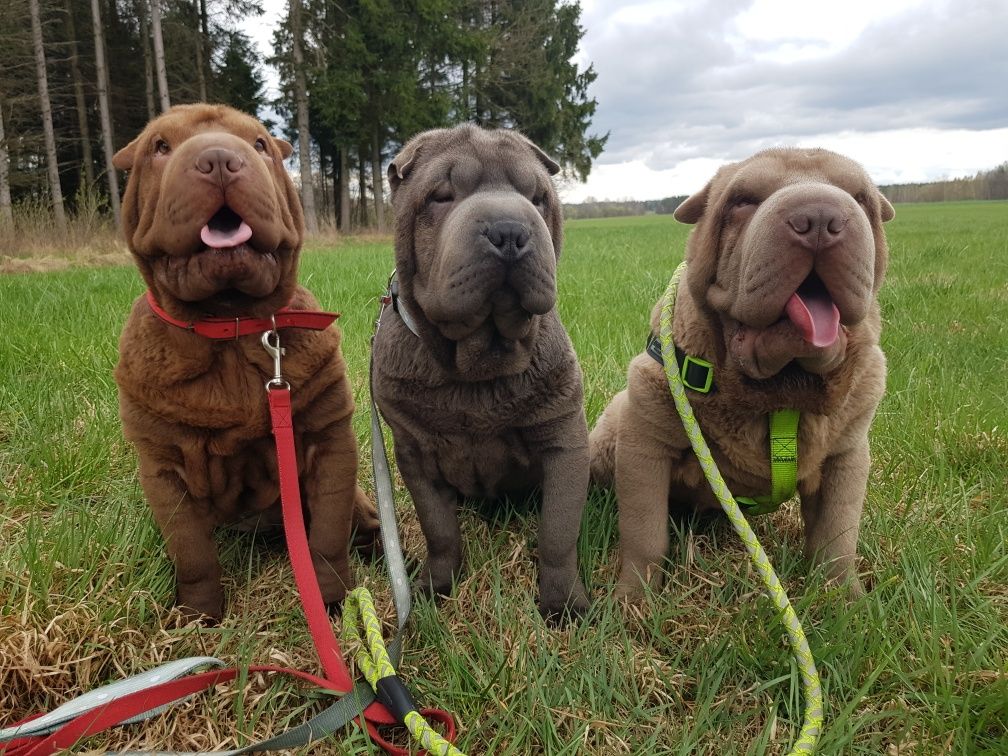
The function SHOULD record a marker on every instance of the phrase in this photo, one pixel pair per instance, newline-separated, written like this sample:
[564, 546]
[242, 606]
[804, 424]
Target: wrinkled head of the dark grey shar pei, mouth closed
[478, 233]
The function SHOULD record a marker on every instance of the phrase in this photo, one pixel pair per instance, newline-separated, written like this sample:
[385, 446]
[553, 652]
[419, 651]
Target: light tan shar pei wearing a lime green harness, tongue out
[781, 295]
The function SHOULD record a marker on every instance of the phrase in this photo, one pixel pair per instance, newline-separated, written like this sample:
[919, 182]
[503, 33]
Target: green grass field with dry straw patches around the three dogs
[920, 666]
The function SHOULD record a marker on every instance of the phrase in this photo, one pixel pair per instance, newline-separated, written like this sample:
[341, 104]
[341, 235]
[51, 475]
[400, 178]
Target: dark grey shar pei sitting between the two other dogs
[473, 369]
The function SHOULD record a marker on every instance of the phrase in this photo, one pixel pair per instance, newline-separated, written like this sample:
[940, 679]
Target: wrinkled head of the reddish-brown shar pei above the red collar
[210, 213]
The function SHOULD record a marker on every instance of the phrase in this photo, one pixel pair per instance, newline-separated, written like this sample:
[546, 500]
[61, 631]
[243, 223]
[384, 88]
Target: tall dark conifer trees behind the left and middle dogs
[80, 78]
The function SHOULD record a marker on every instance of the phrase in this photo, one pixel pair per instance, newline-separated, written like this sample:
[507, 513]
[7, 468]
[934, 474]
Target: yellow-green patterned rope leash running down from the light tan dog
[813, 723]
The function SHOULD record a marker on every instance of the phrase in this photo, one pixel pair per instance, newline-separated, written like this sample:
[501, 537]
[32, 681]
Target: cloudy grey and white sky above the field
[915, 90]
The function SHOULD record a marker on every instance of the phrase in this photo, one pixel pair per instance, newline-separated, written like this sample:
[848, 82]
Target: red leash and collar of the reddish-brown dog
[337, 677]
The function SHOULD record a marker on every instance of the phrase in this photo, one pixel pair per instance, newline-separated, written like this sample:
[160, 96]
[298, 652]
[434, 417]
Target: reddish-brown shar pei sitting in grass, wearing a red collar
[216, 227]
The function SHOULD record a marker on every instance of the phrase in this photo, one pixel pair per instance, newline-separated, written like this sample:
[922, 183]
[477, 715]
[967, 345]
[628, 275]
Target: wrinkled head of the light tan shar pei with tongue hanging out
[789, 254]
